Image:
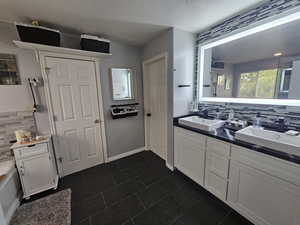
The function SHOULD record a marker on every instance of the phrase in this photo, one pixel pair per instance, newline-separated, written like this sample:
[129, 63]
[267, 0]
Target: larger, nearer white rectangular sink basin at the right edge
[270, 139]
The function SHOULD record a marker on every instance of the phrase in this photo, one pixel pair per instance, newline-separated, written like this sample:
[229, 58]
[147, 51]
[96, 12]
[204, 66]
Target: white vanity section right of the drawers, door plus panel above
[263, 188]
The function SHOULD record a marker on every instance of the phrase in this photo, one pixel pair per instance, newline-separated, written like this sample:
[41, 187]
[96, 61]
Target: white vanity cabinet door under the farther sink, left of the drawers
[190, 154]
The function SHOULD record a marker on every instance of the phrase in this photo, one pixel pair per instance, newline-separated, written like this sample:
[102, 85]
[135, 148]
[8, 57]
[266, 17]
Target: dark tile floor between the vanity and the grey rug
[140, 190]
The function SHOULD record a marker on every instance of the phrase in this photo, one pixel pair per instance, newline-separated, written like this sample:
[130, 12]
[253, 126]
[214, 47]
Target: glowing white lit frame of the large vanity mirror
[243, 32]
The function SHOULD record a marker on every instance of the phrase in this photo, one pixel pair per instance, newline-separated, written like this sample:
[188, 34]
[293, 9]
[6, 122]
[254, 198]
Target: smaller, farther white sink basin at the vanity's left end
[200, 123]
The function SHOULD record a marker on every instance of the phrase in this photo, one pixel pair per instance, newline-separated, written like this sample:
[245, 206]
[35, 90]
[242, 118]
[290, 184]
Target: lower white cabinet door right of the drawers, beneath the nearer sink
[264, 198]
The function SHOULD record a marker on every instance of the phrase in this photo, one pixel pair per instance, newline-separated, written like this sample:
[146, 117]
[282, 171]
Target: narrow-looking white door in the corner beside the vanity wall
[155, 94]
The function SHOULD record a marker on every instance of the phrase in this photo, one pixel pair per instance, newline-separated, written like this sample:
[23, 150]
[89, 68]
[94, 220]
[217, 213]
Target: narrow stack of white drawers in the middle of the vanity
[217, 167]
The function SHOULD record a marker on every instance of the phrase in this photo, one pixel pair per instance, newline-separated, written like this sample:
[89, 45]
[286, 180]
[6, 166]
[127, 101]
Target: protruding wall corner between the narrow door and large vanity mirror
[180, 48]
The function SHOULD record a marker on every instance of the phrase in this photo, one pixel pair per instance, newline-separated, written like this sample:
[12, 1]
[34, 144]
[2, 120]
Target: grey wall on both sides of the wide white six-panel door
[123, 135]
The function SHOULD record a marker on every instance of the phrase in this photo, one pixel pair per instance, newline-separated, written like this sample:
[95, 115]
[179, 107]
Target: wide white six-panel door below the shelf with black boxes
[75, 106]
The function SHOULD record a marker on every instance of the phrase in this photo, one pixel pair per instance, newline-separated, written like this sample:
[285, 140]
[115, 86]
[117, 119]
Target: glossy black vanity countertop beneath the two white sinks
[227, 135]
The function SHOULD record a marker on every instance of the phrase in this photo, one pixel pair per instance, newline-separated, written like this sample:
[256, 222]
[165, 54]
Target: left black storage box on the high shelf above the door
[38, 34]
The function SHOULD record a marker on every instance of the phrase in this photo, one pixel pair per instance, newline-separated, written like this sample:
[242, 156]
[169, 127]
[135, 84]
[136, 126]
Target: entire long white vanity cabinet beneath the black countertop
[262, 188]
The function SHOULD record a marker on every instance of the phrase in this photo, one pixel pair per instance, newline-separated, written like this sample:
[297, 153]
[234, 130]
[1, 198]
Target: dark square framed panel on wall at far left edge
[9, 73]
